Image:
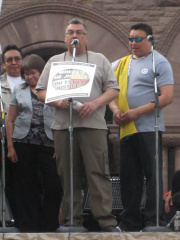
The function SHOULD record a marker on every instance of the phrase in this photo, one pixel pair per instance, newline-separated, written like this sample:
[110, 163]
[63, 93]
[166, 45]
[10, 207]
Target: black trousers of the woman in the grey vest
[37, 188]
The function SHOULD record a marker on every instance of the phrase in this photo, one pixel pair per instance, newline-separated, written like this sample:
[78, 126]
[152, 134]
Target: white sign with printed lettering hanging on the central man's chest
[69, 80]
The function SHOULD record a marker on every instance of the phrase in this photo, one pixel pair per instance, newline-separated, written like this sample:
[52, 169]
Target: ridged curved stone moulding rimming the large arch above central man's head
[93, 15]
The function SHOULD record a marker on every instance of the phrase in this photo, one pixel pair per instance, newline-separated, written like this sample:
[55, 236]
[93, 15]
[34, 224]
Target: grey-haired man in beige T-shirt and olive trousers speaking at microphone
[89, 134]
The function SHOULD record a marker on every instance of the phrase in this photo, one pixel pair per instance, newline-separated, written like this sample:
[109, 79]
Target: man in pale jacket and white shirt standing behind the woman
[11, 61]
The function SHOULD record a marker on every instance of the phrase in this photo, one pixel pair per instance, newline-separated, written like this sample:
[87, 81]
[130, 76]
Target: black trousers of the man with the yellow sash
[137, 160]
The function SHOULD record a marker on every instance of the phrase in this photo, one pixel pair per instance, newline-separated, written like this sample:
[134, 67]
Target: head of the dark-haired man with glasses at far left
[12, 60]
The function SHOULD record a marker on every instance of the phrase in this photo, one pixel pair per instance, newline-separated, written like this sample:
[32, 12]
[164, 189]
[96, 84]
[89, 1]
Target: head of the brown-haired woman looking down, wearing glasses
[32, 67]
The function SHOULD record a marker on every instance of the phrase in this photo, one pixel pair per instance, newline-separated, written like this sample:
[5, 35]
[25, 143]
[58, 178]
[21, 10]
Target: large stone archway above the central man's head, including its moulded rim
[39, 22]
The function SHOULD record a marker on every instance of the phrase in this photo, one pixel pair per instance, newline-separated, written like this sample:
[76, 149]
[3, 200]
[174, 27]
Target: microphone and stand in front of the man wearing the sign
[71, 228]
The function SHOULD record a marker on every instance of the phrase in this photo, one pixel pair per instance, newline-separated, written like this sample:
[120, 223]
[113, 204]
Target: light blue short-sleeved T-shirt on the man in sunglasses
[141, 87]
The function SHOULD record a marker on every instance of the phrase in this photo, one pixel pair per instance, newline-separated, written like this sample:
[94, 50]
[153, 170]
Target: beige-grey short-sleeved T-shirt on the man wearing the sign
[104, 79]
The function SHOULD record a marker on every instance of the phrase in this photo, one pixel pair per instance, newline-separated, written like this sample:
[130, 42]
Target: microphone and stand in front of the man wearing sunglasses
[156, 228]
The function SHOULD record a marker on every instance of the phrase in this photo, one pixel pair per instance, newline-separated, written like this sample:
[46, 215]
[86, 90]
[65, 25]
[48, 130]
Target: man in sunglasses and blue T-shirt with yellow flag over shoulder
[134, 111]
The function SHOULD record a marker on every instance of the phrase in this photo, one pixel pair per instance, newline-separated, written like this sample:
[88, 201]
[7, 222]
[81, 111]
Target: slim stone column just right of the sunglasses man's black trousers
[165, 169]
